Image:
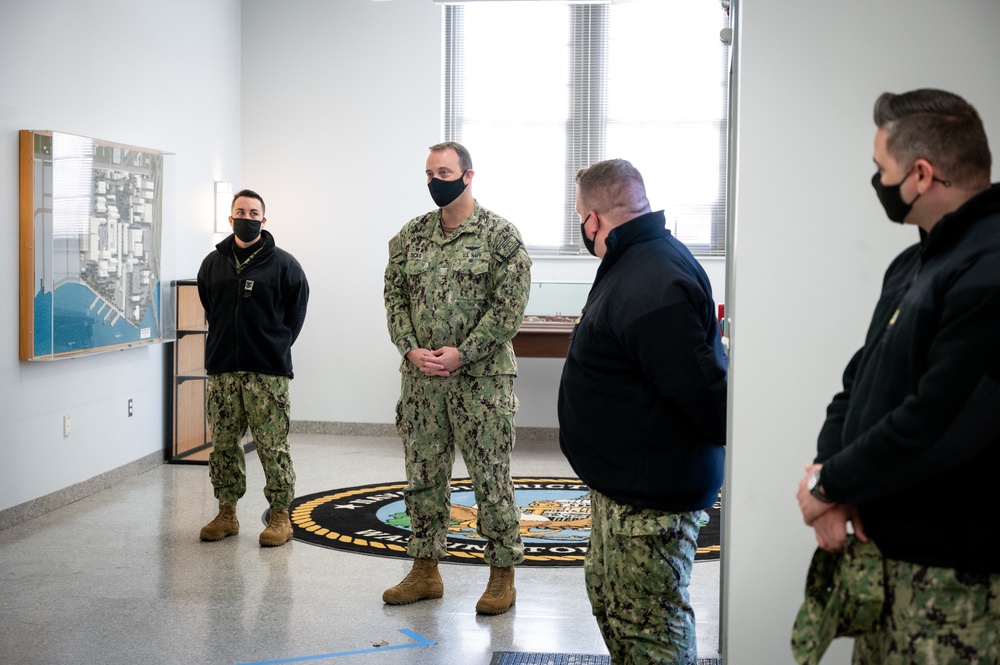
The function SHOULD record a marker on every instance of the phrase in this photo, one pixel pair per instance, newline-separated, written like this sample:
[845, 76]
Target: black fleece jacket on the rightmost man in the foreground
[914, 437]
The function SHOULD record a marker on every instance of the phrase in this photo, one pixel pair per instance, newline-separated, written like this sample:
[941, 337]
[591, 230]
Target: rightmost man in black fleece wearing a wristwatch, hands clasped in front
[910, 447]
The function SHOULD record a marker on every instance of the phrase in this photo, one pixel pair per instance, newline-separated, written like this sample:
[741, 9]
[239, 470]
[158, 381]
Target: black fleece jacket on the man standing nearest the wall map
[254, 314]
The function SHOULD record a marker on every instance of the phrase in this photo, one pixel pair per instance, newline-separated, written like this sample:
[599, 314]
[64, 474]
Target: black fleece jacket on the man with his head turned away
[642, 401]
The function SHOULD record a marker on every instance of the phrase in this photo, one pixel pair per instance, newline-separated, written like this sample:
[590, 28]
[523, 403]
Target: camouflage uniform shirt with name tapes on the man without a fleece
[467, 290]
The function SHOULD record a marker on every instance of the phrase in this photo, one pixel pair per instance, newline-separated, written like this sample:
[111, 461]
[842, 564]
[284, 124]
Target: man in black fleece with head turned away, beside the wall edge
[642, 417]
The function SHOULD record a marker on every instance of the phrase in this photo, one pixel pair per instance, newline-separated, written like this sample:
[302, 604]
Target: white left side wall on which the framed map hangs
[161, 75]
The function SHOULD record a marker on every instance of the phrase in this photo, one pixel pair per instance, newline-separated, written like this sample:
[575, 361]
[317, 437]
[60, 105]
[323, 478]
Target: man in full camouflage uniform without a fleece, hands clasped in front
[455, 290]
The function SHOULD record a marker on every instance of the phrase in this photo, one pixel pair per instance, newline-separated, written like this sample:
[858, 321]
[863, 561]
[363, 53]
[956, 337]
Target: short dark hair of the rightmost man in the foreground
[938, 126]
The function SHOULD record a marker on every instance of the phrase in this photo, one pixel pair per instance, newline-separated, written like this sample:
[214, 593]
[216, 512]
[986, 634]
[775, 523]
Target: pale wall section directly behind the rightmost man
[812, 243]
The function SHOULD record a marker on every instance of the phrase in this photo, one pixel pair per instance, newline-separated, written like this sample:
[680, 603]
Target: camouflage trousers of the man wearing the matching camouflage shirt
[476, 413]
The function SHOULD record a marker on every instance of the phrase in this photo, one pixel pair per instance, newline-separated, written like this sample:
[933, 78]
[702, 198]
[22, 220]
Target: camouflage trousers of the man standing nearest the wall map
[237, 400]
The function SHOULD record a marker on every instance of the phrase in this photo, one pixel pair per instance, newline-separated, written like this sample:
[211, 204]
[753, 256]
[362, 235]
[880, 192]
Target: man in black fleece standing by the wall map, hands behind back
[255, 297]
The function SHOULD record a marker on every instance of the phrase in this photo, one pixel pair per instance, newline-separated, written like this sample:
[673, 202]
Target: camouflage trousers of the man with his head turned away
[638, 569]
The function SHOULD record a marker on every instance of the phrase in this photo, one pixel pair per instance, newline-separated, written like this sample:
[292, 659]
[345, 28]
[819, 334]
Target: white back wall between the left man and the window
[340, 102]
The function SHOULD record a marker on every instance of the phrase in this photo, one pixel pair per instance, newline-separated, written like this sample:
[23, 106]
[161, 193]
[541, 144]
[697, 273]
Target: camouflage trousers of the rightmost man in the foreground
[934, 616]
